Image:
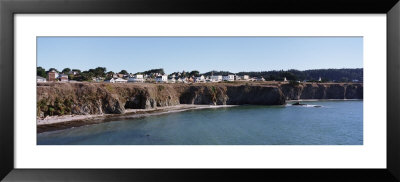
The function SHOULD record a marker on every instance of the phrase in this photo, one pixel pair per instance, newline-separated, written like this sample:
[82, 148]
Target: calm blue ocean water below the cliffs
[334, 123]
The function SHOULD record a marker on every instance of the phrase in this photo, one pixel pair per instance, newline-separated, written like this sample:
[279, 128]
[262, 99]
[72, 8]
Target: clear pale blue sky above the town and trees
[234, 54]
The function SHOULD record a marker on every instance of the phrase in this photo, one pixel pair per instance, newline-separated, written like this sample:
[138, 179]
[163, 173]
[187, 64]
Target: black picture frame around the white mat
[8, 8]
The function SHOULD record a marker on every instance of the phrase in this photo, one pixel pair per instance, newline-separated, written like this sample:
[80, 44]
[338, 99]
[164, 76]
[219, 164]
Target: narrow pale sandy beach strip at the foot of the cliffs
[51, 123]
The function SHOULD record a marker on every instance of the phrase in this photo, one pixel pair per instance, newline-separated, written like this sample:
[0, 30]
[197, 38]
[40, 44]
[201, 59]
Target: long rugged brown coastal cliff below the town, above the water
[107, 98]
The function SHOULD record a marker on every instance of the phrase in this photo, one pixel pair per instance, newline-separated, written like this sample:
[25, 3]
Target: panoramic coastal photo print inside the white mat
[199, 91]
